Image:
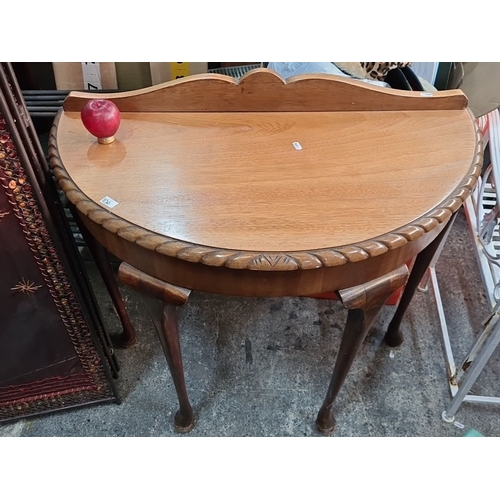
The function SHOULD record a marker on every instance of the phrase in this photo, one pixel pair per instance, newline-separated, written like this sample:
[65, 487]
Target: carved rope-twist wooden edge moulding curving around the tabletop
[269, 261]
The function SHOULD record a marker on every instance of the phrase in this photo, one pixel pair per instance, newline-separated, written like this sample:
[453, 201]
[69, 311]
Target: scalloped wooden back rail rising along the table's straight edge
[264, 90]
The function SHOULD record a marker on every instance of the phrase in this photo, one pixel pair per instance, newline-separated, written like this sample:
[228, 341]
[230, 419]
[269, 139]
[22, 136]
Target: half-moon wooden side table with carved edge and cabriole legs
[268, 188]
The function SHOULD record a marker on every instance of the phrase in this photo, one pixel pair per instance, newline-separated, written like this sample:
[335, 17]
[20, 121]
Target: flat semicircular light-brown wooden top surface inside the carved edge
[235, 180]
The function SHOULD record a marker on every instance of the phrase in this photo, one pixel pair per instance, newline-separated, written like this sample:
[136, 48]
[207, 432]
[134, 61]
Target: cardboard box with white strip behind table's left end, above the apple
[84, 76]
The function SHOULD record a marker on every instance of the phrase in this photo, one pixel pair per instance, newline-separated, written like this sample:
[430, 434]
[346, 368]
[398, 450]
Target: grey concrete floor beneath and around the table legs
[260, 367]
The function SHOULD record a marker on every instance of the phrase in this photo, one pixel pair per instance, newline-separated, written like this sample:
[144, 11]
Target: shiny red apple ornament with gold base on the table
[102, 119]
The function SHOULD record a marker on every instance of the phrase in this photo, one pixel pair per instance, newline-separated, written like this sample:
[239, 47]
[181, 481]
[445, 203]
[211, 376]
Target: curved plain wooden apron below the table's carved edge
[250, 283]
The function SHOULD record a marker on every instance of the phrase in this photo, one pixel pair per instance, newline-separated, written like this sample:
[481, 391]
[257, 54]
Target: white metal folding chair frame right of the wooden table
[482, 214]
